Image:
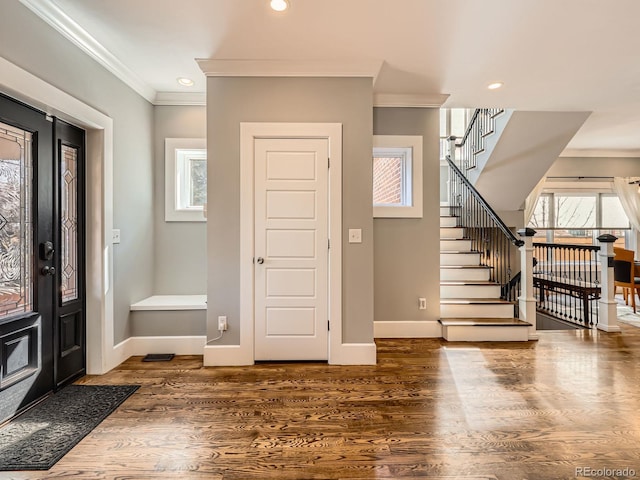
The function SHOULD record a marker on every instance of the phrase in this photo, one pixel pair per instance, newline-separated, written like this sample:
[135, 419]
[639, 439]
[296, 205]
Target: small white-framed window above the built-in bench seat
[185, 179]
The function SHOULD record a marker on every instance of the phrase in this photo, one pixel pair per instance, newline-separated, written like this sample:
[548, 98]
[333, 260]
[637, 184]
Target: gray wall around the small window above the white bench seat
[180, 247]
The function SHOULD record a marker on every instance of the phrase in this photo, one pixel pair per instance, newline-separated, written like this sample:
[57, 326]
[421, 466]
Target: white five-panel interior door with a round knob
[291, 249]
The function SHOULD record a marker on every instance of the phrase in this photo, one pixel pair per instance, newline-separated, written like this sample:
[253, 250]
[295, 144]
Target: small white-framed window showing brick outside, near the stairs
[397, 176]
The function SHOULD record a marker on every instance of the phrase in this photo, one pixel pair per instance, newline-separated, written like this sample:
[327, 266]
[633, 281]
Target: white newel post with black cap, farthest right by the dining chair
[608, 315]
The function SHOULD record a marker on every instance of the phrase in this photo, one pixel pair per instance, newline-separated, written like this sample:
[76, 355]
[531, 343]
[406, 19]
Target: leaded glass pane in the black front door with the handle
[16, 256]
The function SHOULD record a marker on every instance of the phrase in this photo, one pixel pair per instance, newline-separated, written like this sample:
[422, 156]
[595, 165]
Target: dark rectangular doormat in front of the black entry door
[41, 436]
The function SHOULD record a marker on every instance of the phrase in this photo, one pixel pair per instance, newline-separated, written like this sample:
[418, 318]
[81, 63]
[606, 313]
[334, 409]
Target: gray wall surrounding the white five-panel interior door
[340, 100]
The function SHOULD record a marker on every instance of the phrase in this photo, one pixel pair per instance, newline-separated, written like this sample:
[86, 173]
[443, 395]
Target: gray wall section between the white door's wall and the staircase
[407, 250]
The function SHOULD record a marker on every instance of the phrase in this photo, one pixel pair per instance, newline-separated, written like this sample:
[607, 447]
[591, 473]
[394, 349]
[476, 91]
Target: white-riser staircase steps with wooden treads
[470, 305]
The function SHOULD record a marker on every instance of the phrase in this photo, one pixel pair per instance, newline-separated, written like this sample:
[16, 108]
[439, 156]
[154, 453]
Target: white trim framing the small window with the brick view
[414, 142]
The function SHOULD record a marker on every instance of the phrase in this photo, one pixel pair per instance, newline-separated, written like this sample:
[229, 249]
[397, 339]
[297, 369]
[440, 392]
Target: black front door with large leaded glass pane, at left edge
[26, 280]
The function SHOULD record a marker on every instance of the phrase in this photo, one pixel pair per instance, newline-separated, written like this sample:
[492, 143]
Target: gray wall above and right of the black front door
[28, 42]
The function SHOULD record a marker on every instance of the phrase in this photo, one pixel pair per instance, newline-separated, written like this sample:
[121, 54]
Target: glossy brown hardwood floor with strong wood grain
[429, 409]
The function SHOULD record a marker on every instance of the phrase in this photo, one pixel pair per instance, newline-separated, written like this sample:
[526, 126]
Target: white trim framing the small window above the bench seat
[172, 212]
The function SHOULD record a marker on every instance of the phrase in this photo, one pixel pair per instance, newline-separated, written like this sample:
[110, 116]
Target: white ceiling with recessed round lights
[568, 55]
